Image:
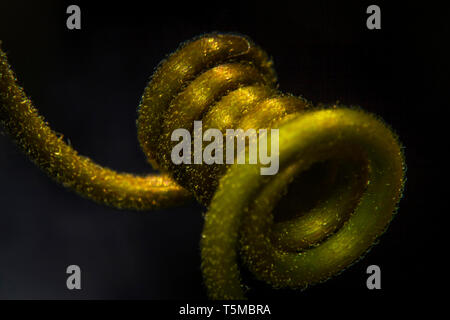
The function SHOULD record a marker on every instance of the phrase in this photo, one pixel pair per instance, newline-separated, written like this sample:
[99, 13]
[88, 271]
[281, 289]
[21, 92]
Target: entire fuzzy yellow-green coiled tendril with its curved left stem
[341, 170]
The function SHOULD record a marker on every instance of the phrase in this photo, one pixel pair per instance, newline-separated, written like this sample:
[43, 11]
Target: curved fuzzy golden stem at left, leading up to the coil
[61, 162]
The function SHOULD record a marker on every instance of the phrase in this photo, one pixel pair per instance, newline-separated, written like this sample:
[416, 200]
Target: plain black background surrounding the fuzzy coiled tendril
[88, 84]
